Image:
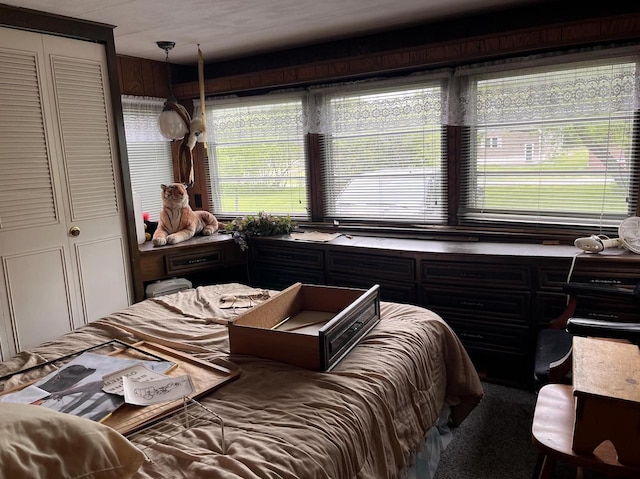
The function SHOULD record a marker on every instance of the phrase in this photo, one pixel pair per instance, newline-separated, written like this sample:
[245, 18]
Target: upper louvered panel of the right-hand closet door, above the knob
[88, 157]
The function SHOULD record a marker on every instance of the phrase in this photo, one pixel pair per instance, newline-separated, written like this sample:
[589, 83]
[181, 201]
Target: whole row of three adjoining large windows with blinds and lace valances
[538, 144]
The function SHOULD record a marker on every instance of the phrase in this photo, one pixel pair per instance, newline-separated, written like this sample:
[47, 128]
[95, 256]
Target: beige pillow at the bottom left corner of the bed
[39, 442]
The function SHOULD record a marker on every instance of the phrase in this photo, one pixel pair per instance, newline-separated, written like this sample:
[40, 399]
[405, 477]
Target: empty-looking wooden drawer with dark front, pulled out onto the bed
[340, 318]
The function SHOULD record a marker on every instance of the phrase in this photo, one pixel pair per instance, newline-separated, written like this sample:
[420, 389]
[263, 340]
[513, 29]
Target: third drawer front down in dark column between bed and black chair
[510, 339]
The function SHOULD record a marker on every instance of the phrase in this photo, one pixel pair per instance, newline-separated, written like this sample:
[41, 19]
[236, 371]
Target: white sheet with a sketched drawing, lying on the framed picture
[158, 391]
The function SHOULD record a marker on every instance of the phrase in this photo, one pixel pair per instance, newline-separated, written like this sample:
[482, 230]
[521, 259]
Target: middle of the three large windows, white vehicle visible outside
[383, 153]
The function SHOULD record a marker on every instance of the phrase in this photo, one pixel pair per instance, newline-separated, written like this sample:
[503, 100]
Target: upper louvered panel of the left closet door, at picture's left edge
[26, 187]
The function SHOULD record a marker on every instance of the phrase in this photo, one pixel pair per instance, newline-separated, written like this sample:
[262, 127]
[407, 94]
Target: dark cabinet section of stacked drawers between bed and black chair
[488, 305]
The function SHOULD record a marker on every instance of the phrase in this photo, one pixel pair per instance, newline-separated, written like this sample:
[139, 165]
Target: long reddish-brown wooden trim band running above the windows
[429, 54]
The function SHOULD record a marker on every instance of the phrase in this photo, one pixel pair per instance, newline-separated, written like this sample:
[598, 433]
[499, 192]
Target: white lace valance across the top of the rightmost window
[546, 87]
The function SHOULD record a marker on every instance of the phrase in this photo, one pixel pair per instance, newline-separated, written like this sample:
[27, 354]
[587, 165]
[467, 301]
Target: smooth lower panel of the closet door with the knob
[103, 280]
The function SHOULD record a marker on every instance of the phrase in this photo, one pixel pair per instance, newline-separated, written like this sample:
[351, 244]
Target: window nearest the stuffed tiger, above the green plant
[257, 160]
